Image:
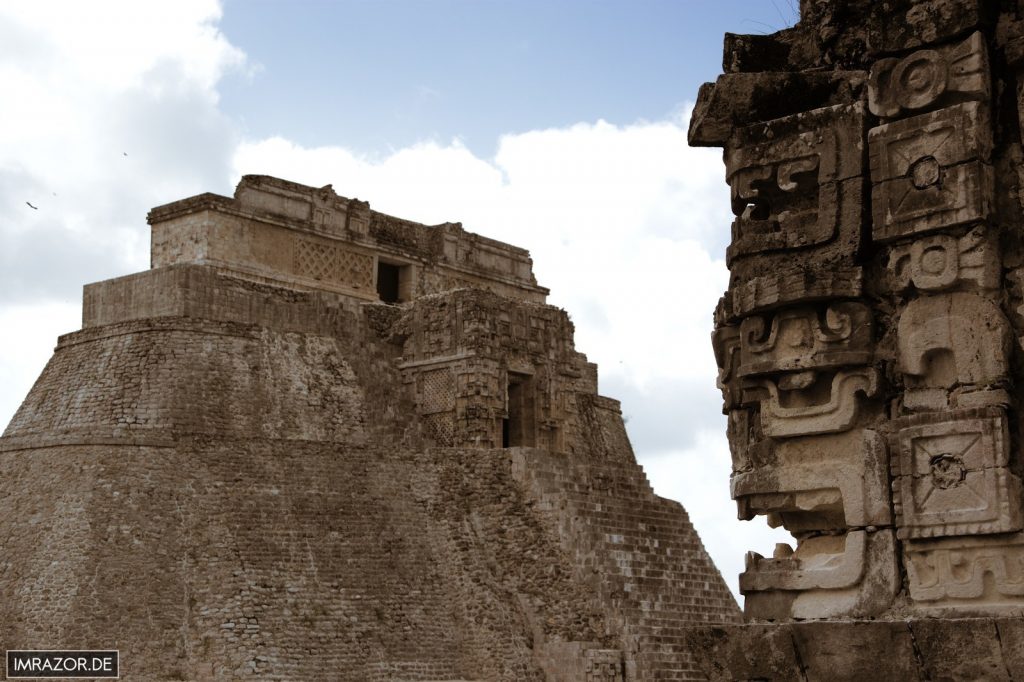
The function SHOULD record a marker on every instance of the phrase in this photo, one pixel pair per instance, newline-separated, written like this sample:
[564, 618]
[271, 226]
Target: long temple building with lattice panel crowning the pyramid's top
[311, 238]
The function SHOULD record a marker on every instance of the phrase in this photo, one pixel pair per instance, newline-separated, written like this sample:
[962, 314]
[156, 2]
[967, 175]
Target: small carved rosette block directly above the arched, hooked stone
[938, 263]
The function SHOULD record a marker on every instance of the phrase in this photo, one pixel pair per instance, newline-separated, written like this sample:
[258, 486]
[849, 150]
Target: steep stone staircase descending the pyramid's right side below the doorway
[638, 551]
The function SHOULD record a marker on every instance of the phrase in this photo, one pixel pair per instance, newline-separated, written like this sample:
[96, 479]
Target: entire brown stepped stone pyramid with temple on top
[319, 443]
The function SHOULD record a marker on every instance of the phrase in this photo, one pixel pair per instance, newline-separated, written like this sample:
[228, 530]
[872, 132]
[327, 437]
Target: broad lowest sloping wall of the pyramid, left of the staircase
[212, 559]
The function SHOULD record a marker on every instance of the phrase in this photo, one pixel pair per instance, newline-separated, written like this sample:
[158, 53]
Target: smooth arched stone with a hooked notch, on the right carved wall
[953, 339]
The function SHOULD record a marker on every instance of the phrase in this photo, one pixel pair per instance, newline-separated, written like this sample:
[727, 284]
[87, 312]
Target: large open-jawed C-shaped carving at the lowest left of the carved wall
[831, 492]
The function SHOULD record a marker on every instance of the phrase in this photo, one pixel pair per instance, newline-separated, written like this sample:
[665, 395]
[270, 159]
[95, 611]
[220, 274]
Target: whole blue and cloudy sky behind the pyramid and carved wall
[557, 126]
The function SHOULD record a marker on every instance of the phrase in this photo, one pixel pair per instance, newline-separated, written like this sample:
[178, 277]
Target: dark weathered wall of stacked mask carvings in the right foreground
[870, 346]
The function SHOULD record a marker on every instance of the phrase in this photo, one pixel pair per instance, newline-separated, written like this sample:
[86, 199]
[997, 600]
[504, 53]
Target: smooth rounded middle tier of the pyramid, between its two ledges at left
[187, 376]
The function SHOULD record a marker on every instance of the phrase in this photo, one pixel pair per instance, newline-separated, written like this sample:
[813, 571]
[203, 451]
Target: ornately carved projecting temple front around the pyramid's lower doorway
[461, 353]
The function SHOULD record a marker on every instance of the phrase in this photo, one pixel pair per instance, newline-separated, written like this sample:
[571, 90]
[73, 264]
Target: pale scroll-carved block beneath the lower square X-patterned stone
[967, 570]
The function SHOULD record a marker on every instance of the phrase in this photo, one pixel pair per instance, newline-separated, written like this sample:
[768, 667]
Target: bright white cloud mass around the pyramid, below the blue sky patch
[112, 108]
